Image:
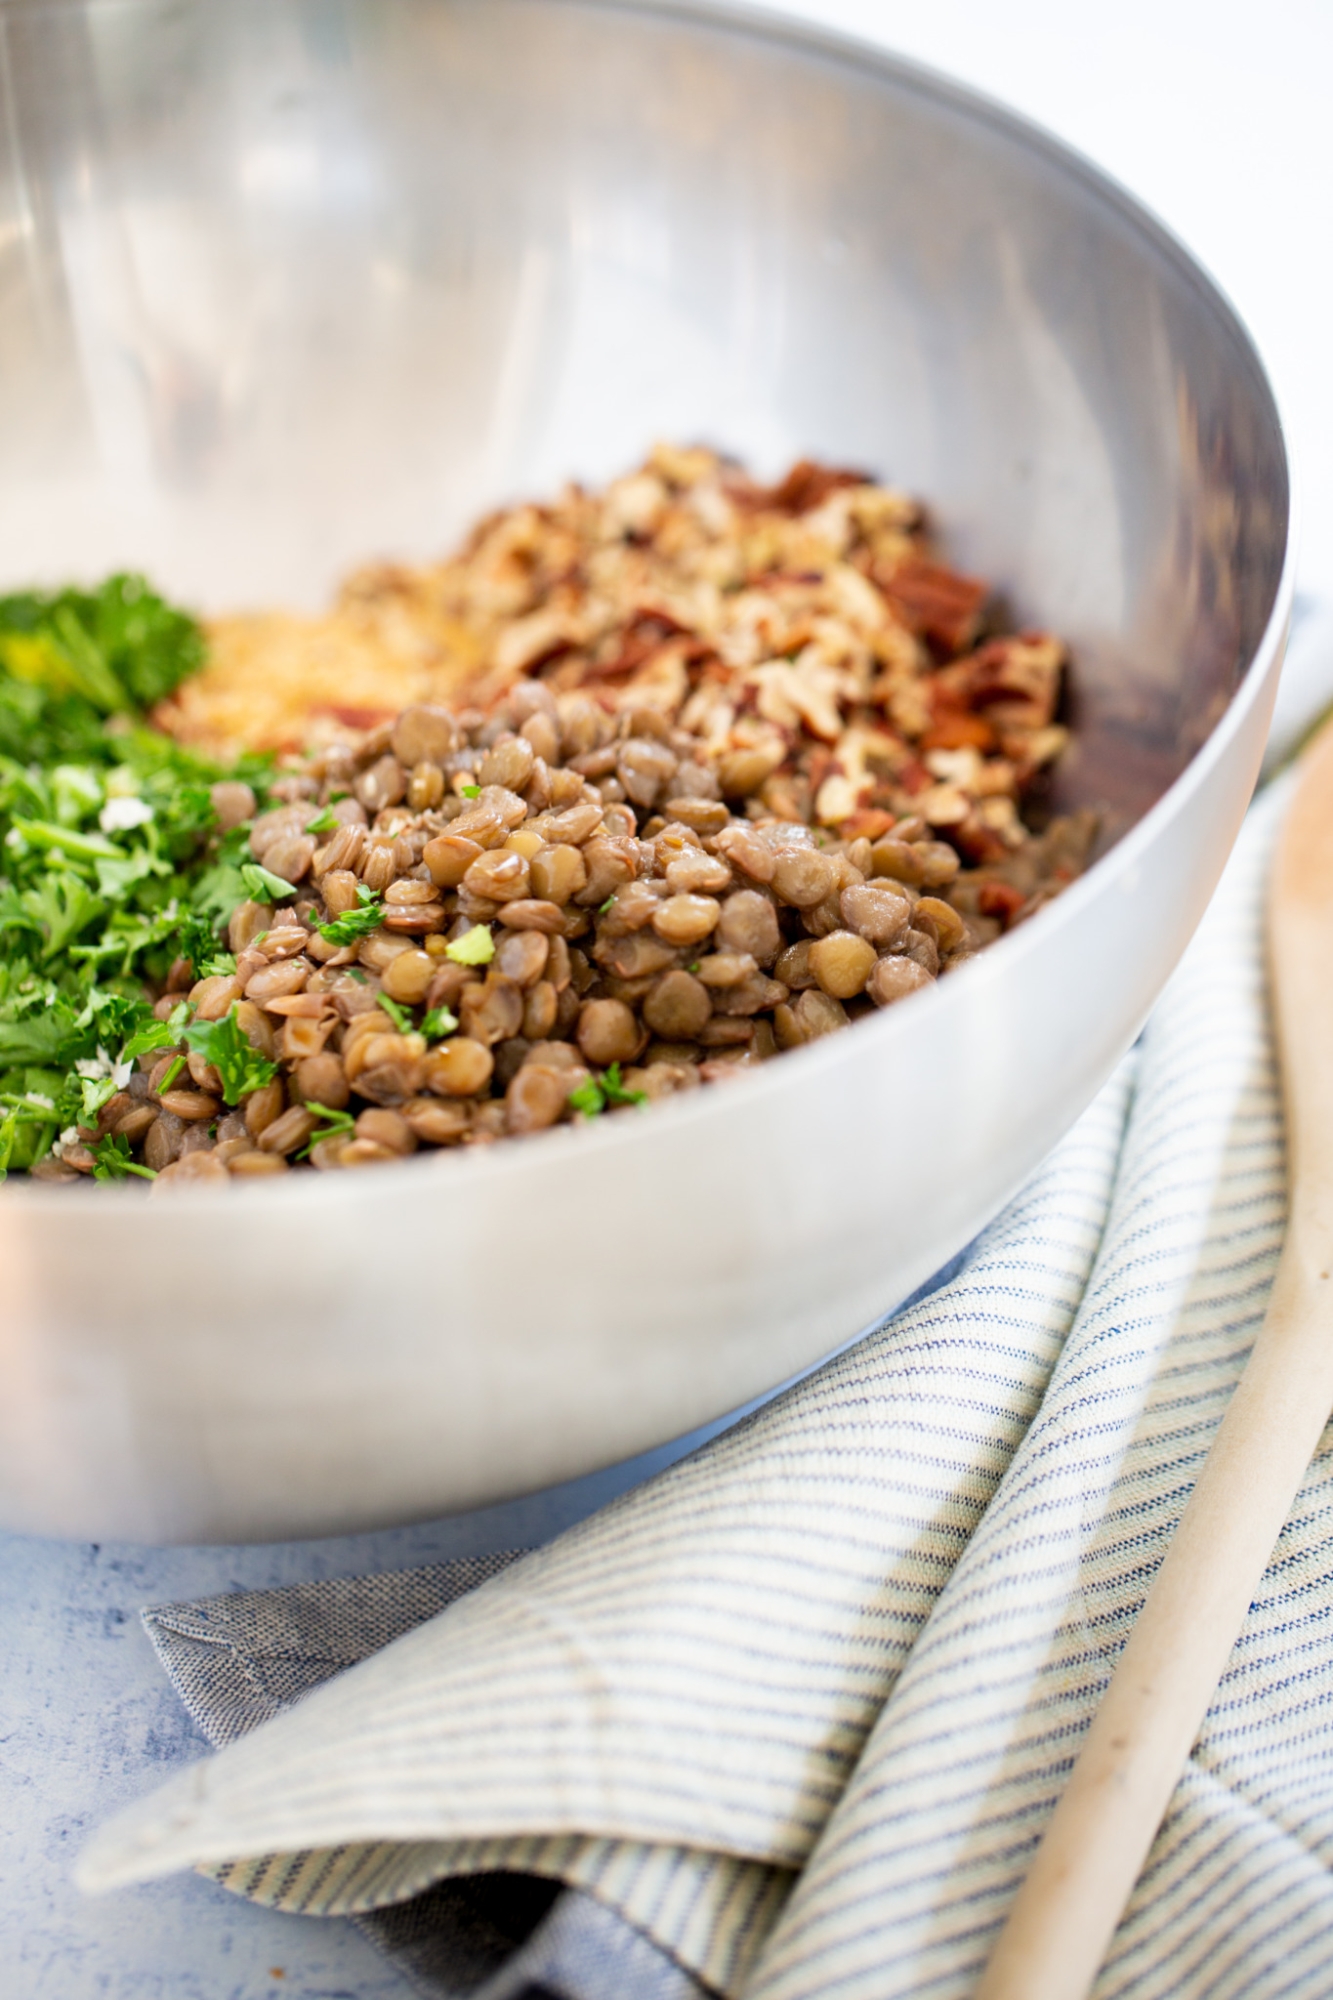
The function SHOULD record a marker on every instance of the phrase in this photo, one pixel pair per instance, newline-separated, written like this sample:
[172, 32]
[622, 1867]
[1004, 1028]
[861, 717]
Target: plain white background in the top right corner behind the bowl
[1218, 117]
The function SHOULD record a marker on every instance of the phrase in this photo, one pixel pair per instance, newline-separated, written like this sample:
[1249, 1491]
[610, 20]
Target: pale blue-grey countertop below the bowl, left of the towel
[89, 1721]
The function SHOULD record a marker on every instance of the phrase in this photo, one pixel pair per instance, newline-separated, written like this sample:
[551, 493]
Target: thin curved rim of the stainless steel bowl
[766, 25]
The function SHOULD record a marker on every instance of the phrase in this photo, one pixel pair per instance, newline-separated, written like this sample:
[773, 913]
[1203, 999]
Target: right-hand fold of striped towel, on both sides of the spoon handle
[932, 1837]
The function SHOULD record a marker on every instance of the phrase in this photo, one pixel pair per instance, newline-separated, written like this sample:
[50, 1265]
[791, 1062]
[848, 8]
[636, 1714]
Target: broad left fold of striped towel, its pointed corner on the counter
[663, 1705]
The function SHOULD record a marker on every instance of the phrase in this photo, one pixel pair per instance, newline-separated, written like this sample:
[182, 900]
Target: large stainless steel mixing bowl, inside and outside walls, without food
[289, 283]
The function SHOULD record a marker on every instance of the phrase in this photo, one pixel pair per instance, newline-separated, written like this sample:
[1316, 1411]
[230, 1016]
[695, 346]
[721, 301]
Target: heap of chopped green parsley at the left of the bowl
[111, 857]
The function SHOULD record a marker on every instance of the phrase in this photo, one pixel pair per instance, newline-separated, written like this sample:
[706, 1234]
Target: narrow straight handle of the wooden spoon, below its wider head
[1098, 1839]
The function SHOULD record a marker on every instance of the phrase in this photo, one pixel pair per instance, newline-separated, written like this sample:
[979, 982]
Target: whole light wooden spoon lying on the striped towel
[1100, 1835]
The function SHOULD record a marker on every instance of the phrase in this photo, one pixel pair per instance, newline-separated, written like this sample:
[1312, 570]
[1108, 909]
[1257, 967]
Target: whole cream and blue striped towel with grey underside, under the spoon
[790, 1719]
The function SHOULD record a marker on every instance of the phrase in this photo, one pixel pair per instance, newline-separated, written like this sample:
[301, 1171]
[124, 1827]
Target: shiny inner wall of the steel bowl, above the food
[293, 283]
